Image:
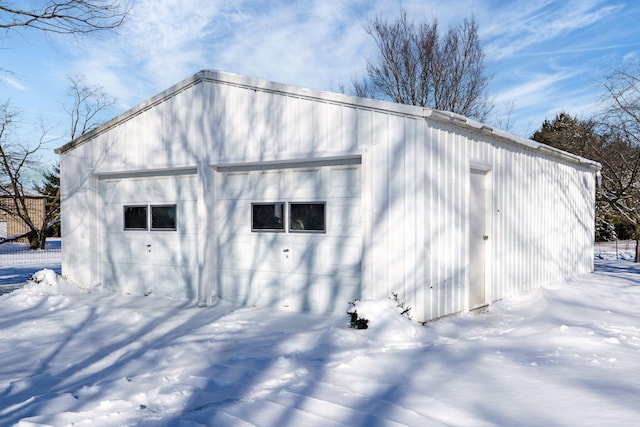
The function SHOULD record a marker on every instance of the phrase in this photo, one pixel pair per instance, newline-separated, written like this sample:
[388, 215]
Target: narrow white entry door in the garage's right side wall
[477, 239]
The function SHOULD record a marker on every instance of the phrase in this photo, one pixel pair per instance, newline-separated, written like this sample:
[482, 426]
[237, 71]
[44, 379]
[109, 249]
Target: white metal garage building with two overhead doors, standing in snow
[274, 195]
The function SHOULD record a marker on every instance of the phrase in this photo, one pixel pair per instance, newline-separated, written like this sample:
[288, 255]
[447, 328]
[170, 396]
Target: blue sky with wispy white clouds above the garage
[544, 56]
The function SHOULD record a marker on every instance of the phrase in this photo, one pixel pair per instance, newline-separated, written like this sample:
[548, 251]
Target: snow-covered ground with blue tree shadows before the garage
[565, 355]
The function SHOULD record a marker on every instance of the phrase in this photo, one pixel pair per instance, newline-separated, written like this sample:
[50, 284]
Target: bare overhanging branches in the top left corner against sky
[64, 16]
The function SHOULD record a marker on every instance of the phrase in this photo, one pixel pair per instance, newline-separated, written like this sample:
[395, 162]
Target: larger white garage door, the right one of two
[290, 236]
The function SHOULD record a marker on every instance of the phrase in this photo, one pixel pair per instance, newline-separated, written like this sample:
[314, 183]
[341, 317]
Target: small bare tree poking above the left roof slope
[88, 102]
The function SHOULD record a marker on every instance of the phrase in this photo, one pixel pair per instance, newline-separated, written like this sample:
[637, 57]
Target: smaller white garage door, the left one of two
[148, 235]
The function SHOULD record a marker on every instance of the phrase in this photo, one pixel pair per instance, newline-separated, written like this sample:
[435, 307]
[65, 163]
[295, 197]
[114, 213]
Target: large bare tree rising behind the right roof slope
[416, 66]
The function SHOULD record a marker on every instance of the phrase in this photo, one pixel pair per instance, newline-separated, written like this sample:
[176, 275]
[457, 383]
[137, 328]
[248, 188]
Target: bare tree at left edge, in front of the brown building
[16, 161]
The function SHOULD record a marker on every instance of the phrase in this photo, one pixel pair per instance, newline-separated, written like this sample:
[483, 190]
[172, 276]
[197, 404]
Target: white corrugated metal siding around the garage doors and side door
[415, 175]
